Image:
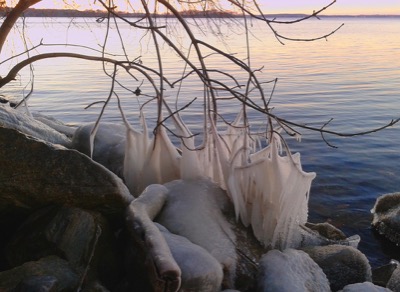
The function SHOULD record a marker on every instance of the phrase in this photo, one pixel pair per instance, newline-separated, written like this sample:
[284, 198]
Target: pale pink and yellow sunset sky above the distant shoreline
[352, 7]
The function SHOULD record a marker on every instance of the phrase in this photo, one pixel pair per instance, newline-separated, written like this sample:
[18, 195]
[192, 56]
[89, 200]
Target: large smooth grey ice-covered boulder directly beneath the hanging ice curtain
[194, 209]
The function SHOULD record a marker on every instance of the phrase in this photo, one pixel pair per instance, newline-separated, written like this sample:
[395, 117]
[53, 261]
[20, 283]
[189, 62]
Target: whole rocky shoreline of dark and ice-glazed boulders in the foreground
[69, 223]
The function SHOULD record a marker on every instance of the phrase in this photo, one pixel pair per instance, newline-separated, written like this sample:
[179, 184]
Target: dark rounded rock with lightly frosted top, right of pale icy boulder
[343, 265]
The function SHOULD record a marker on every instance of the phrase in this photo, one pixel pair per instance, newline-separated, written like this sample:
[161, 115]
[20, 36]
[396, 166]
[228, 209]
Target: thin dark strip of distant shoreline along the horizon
[32, 12]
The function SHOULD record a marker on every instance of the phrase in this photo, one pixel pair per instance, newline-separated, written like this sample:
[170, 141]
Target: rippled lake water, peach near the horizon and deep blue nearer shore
[352, 77]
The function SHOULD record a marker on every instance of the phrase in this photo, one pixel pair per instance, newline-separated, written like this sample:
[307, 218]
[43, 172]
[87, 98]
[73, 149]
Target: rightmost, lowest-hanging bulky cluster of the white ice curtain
[267, 194]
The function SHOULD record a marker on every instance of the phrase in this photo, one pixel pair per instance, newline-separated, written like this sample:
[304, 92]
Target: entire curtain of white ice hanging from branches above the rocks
[269, 191]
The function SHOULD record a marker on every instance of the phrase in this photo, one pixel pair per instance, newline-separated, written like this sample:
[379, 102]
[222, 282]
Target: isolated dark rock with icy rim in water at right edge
[386, 220]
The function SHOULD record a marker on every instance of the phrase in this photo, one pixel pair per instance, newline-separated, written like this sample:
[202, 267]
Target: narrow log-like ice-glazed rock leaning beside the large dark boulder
[150, 262]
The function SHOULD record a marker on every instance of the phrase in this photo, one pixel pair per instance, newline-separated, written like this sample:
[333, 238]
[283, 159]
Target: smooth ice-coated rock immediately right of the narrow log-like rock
[200, 271]
